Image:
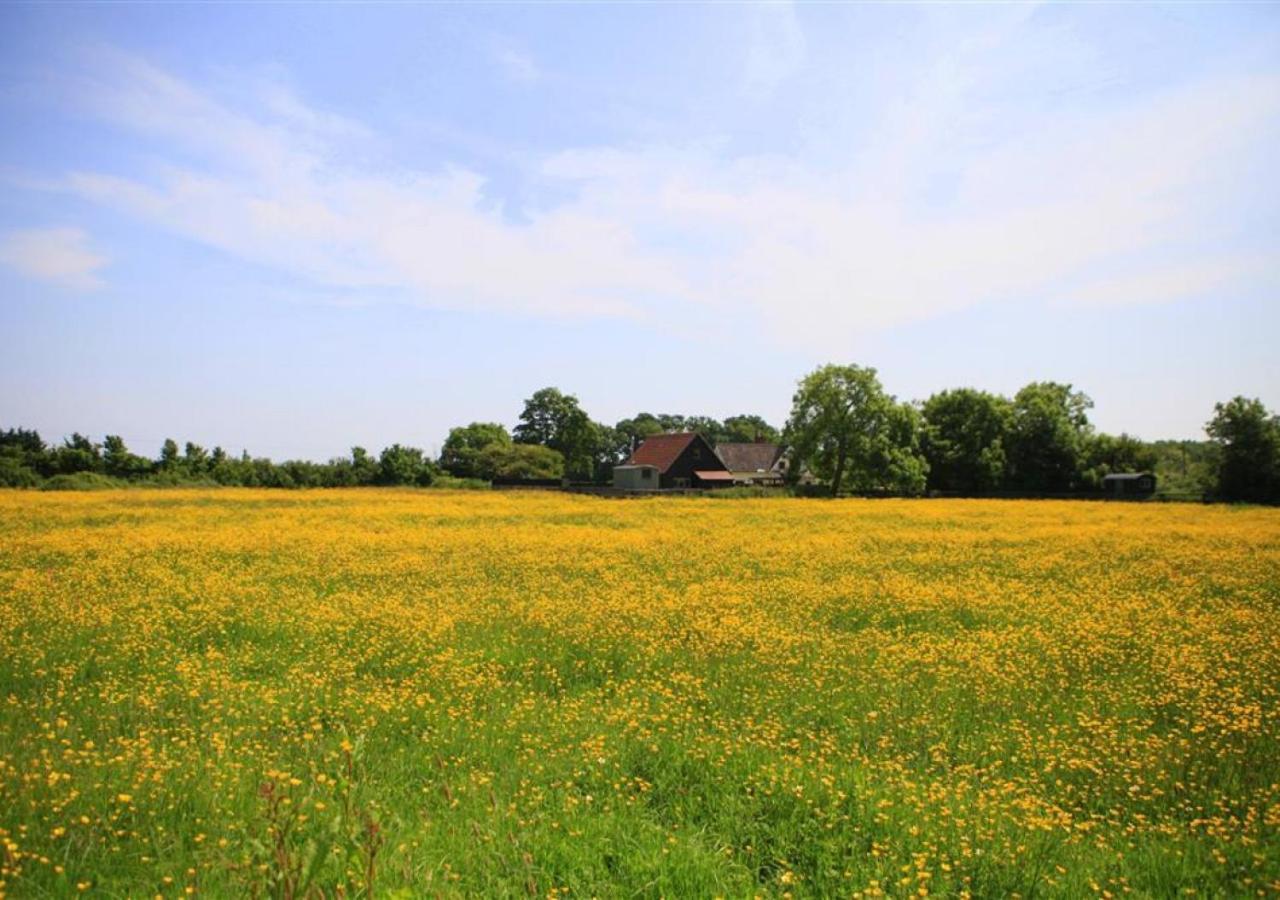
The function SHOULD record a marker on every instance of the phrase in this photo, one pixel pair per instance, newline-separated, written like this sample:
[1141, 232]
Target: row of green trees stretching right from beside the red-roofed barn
[853, 436]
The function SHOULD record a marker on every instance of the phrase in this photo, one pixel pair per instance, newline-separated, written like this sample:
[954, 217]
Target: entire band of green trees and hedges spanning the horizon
[845, 432]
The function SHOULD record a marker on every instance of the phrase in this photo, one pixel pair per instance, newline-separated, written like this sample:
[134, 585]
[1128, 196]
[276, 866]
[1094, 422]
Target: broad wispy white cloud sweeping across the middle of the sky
[1041, 209]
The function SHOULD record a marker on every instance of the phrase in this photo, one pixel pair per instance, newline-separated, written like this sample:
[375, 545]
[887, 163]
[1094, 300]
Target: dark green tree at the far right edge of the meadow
[1249, 438]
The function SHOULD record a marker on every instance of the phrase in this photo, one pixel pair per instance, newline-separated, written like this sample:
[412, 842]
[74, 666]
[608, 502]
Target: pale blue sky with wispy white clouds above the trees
[295, 229]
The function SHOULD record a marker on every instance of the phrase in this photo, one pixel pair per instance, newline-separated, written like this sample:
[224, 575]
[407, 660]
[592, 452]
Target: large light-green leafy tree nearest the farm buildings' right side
[851, 433]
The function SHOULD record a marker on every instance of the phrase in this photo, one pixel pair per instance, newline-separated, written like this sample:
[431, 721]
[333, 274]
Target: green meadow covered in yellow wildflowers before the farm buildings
[422, 693]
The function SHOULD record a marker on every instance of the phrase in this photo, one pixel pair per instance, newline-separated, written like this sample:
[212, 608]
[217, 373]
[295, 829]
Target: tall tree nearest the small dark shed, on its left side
[1049, 437]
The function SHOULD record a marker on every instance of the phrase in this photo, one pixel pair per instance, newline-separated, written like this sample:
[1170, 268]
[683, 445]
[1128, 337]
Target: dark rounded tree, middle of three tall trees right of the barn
[964, 440]
